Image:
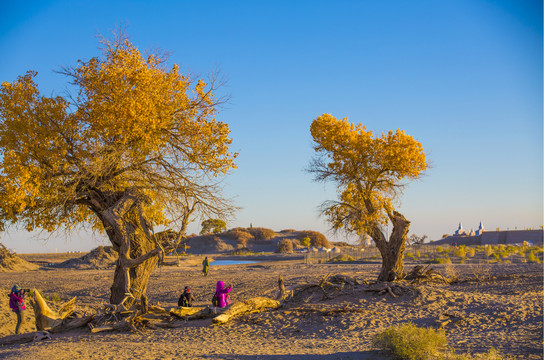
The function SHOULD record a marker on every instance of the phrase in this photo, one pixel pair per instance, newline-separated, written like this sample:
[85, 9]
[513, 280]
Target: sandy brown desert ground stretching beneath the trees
[494, 305]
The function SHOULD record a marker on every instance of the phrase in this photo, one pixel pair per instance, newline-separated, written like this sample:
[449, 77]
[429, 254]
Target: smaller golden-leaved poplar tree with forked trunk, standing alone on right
[369, 172]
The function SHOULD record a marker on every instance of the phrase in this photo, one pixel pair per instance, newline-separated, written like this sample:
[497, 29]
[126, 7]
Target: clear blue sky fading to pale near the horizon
[464, 77]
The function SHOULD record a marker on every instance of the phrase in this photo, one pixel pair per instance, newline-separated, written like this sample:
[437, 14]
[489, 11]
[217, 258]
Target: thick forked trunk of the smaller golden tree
[392, 251]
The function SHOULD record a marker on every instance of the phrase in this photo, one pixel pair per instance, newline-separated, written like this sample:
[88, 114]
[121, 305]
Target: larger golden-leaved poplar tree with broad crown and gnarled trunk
[138, 146]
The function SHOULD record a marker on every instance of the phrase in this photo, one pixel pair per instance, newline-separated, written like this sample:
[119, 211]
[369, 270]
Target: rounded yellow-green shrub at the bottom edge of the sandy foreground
[412, 343]
